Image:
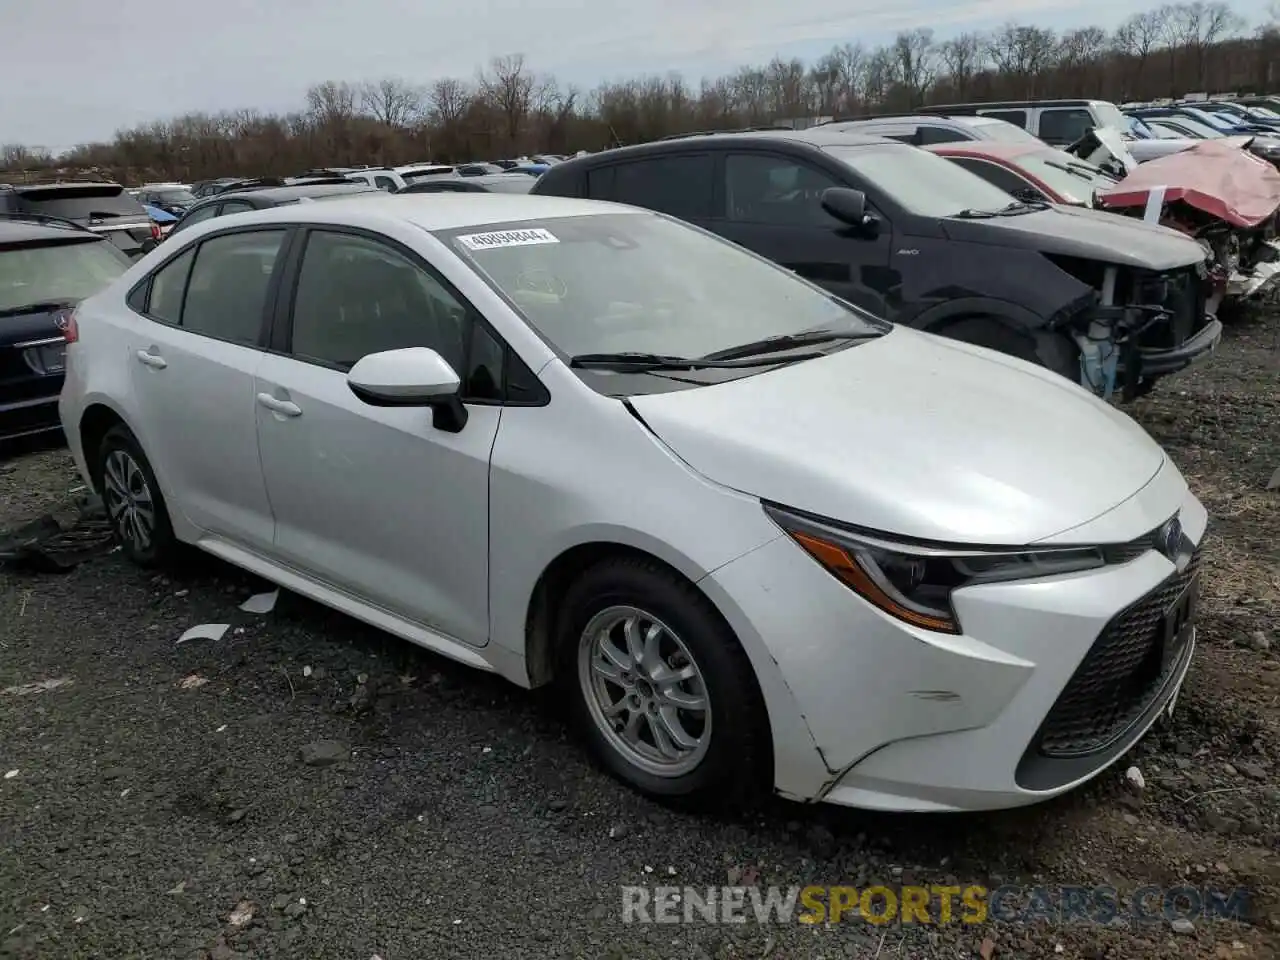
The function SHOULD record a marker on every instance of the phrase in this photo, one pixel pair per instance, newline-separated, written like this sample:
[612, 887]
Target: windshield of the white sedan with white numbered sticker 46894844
[620, 284]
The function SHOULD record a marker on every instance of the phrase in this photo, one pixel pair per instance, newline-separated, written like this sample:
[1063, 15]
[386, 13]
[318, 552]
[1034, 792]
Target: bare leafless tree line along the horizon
[511, 109]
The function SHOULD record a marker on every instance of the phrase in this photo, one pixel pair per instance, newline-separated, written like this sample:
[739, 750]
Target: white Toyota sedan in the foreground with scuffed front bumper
[761, 538]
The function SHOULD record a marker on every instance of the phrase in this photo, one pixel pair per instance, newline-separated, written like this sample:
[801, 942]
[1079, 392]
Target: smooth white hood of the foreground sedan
[916, 436]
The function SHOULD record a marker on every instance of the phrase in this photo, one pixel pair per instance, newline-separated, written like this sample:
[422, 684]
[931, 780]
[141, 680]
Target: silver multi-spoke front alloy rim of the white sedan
[644, 692]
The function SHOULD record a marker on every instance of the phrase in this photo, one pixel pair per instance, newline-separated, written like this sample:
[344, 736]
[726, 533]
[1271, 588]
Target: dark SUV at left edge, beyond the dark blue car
[100, 207]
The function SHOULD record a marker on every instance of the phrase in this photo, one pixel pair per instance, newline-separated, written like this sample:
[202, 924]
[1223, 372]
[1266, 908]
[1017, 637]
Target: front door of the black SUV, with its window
[774, 207]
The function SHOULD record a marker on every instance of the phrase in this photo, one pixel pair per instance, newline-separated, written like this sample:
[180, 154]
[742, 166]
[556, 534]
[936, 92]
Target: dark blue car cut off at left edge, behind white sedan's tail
[47, 267]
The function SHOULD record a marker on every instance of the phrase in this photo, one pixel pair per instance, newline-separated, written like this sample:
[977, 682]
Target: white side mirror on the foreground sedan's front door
[414, 377]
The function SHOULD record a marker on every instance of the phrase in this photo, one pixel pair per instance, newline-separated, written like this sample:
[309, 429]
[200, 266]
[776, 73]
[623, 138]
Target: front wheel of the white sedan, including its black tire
[732, 764]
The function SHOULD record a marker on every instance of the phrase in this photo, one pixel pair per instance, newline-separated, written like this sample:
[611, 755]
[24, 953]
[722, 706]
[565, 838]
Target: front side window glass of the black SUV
[776, 190]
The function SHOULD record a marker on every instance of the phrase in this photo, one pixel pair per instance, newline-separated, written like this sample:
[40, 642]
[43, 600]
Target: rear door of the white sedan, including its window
[194, 359]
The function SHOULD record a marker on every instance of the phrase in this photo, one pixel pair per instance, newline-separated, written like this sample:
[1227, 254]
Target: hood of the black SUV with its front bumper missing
[1081, 232]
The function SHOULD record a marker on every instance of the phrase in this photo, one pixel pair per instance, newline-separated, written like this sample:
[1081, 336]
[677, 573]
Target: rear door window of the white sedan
[227, 291]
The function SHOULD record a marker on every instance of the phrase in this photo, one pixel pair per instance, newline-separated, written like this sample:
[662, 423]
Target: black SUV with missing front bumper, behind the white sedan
[1109, 301]
